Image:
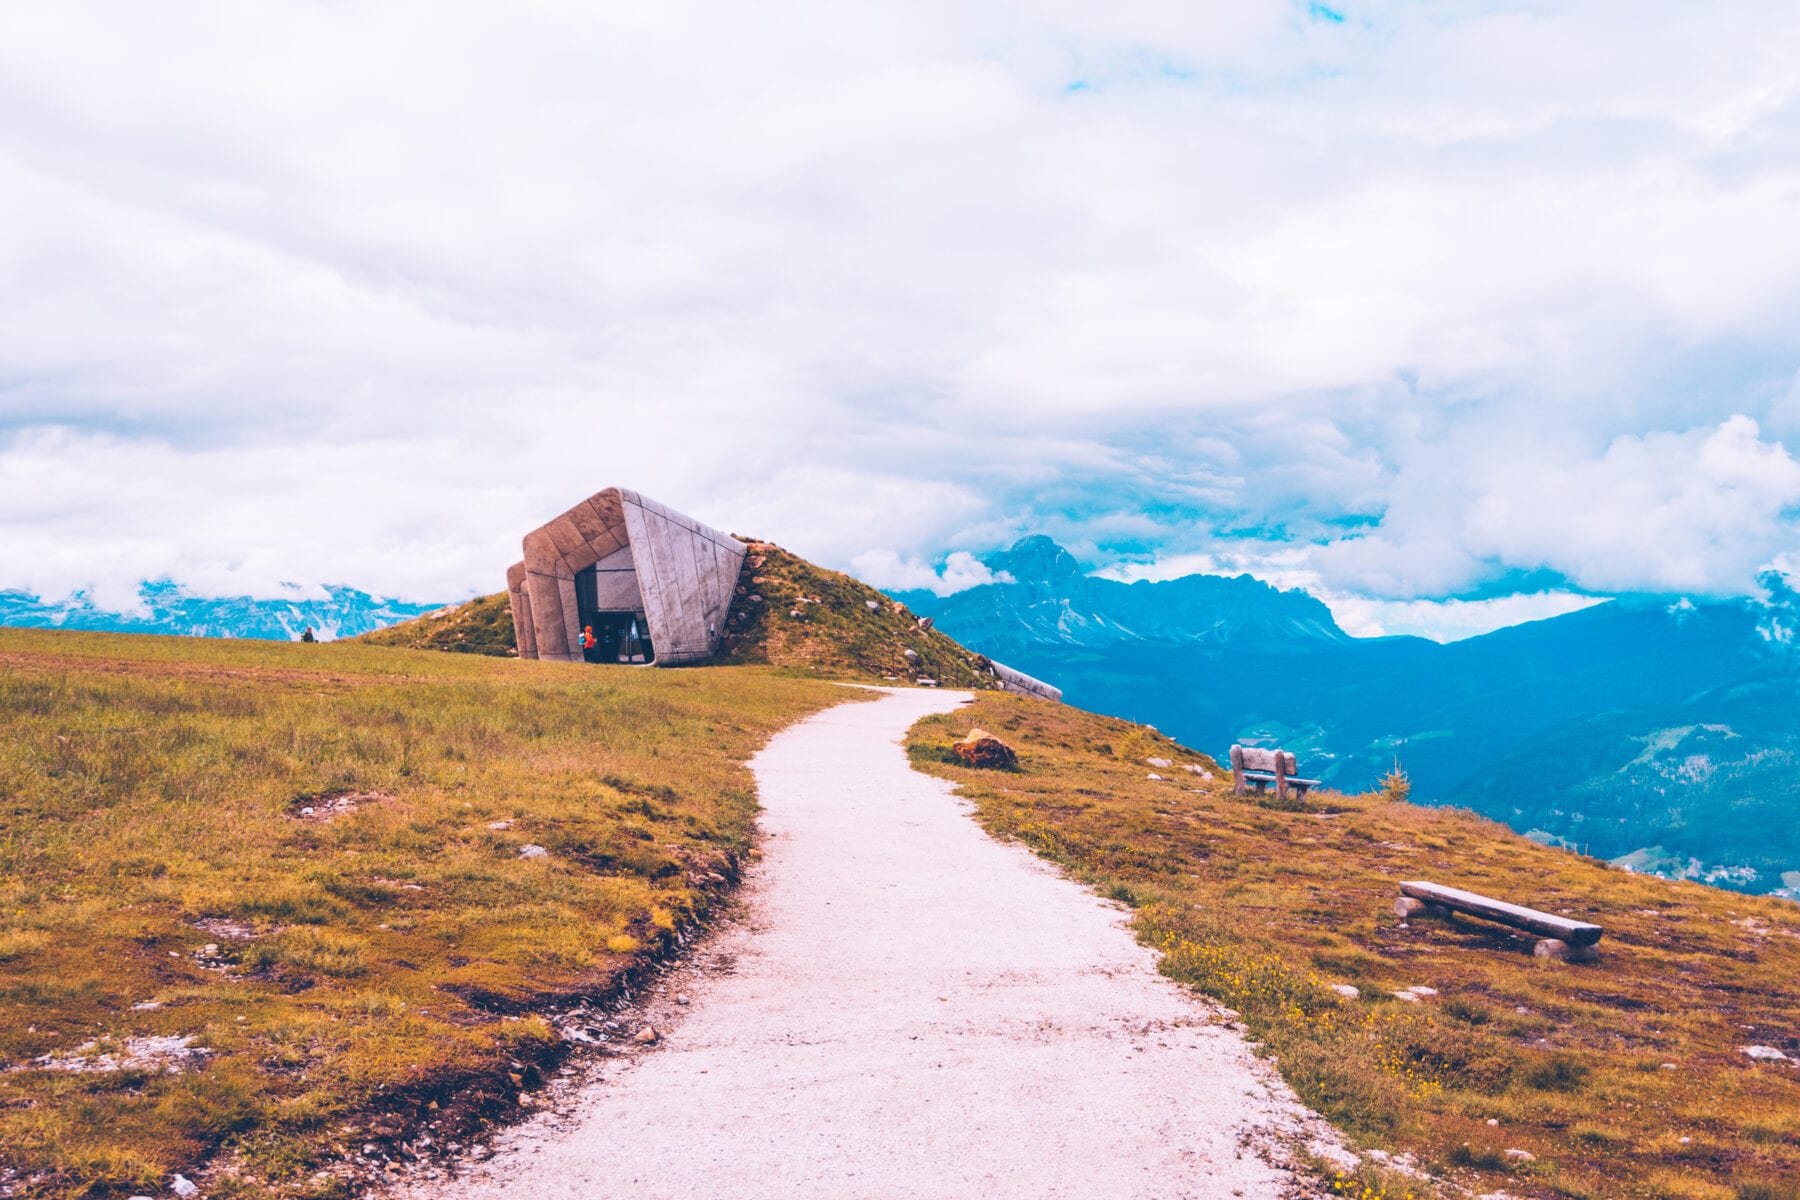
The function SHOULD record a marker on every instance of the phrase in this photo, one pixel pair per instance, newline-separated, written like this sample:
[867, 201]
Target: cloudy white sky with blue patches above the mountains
[1452, 314]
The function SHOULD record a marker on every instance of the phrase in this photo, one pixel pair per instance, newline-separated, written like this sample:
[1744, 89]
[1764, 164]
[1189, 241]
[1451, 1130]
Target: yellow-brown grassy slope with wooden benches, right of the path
[1623, 1079]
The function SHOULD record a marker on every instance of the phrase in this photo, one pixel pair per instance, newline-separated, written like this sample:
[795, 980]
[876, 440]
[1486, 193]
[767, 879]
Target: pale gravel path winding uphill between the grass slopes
[910, 1010]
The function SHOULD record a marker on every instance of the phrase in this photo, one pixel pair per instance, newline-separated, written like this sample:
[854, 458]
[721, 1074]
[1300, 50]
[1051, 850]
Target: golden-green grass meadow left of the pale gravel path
[379, 963]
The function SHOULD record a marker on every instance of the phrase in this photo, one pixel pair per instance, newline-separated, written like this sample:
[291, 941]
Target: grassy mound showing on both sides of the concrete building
[786, 614]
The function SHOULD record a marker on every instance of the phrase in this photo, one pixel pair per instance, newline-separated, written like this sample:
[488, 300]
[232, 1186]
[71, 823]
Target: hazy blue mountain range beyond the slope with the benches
[1653, 730]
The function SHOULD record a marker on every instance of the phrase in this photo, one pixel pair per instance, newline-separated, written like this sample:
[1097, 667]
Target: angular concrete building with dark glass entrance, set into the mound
[624, 557]
